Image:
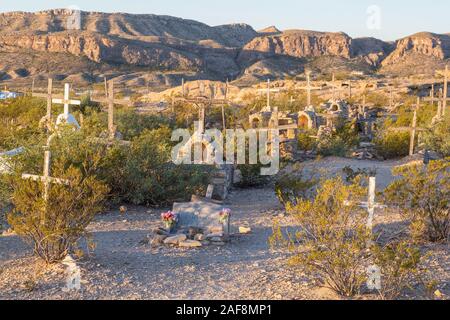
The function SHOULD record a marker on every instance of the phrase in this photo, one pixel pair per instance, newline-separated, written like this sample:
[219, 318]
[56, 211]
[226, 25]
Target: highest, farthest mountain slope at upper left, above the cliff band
[127, 26]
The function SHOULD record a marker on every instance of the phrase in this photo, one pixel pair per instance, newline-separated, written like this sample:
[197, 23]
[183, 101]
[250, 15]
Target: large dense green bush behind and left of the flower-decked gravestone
[144, 173]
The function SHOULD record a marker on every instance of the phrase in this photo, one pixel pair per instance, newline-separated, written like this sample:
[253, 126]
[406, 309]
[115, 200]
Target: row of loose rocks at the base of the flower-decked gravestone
[192, 237]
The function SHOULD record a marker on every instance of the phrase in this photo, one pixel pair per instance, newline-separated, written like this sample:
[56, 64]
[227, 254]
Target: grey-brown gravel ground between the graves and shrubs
[122, 267]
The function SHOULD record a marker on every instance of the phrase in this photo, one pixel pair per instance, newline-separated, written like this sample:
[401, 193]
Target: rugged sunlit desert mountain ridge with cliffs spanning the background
[160, 50]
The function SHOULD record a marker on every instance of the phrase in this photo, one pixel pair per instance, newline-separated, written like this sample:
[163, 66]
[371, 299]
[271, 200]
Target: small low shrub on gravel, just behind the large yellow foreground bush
[292, 187]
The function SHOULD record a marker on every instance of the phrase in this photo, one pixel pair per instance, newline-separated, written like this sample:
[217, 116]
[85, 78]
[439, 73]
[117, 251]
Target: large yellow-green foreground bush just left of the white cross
[332, 236]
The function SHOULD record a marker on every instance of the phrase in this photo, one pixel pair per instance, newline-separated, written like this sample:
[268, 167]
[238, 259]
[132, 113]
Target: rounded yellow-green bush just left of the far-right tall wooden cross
[391, 144]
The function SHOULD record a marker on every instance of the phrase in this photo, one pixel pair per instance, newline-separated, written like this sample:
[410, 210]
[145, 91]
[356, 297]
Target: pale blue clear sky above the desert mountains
[398, 17]
